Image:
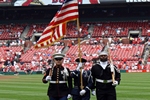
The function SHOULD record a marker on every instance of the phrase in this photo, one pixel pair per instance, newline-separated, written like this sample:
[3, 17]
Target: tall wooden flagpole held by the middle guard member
[79, 52]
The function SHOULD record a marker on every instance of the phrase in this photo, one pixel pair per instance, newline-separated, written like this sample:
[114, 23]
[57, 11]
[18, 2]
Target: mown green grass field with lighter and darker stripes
[134, 86]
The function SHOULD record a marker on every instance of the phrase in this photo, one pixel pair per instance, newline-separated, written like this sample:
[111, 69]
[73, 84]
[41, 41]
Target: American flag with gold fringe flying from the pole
[57, 27]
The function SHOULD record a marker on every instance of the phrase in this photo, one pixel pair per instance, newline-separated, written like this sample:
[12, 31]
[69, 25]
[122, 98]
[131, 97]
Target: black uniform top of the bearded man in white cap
[104, 74]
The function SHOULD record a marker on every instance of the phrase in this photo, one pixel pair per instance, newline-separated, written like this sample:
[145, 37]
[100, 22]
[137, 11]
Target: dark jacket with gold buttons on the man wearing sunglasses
[58, 89]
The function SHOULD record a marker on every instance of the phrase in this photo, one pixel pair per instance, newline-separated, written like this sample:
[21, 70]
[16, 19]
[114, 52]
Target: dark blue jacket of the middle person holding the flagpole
[87, 81]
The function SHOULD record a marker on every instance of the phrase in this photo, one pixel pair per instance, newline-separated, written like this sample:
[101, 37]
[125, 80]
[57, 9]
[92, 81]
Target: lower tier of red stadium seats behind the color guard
[123, 55]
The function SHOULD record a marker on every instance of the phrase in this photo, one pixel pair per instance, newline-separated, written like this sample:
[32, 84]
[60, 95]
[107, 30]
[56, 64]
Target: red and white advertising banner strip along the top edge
[59, 2]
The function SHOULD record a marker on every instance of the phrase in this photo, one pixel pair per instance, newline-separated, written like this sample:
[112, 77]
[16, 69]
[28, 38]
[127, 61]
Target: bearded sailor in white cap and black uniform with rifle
[101, 72]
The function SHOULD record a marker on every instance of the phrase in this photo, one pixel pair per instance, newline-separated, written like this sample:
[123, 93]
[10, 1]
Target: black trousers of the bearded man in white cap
[106, 94]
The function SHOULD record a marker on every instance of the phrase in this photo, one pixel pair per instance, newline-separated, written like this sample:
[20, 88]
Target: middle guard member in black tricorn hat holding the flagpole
[77, 92]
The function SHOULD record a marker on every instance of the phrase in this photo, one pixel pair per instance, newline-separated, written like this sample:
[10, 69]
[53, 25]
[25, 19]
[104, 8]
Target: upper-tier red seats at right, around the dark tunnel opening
[120, 29]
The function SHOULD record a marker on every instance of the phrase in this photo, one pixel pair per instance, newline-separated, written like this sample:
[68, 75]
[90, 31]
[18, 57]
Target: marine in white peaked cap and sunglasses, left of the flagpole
[58, 88]
